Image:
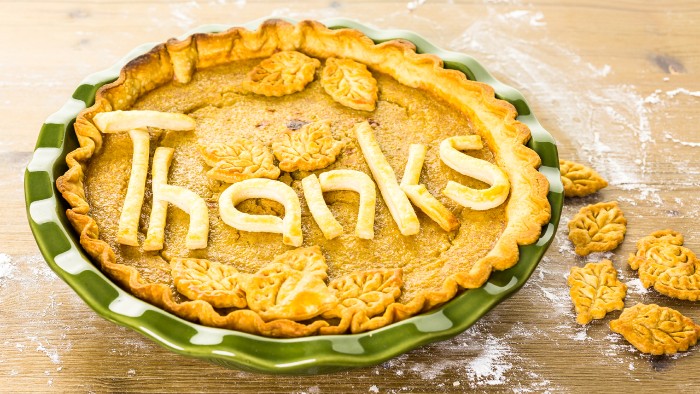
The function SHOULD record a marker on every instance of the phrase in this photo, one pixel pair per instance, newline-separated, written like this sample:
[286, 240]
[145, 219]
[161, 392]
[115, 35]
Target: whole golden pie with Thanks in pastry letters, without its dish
[297, 180]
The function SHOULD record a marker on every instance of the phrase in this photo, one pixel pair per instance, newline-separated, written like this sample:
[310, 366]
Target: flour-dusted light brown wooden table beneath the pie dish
[616, 83]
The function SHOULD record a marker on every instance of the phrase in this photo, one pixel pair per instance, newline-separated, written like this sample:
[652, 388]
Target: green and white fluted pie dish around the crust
[60, 247]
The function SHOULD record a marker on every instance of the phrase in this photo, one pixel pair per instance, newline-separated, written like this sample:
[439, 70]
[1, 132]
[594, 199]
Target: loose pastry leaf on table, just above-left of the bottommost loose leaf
[595, 291]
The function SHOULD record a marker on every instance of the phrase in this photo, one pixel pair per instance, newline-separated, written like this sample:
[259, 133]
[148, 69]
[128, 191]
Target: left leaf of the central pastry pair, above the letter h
[239, 160]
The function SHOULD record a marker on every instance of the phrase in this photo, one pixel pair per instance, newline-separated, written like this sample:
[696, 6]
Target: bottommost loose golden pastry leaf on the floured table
[656, 330]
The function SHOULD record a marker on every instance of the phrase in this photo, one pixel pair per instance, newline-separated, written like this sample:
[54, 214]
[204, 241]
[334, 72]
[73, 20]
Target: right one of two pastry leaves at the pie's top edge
[350, 83]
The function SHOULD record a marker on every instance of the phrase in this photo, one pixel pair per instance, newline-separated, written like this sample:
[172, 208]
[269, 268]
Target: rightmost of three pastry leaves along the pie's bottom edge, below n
[362, 296]
